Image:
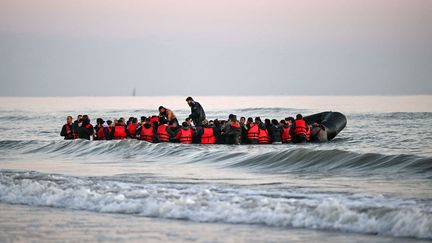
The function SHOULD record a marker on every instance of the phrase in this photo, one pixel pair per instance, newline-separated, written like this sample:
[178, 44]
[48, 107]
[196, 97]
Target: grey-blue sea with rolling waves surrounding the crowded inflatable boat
[372, 183]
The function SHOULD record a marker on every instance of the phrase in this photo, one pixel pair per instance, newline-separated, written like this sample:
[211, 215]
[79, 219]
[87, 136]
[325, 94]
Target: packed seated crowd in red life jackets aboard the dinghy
[160, 129]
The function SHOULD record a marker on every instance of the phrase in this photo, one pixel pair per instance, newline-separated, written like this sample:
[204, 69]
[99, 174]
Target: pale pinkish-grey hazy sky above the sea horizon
[199, 47]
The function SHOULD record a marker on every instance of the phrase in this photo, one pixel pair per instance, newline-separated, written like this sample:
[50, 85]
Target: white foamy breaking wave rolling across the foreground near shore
[221, 203]
